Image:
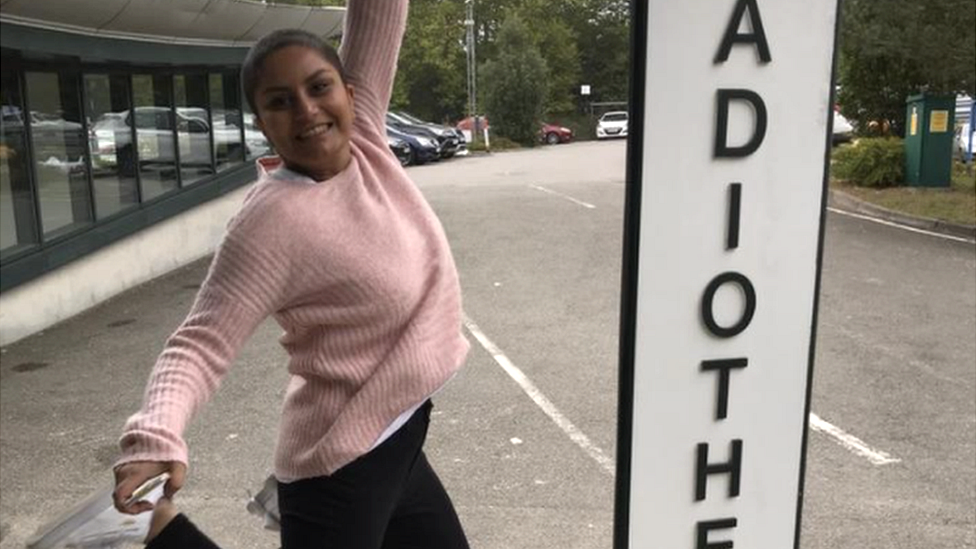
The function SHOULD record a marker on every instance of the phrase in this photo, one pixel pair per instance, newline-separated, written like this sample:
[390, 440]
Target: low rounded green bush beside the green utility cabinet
[871, 162]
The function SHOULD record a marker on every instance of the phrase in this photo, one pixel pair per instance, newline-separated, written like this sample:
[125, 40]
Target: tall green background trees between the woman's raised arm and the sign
[581, 42]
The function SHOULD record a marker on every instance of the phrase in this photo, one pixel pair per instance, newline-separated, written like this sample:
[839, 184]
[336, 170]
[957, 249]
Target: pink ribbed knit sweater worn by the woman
[357, 271]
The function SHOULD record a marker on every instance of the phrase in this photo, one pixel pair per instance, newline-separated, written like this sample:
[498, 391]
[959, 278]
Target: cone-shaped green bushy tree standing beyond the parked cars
[515, 84]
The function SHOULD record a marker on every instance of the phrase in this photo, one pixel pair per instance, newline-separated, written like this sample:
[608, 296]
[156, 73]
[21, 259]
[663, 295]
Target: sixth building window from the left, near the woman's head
[225, 102]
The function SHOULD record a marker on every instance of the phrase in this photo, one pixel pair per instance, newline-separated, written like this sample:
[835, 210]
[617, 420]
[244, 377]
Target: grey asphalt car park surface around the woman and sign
[537, 239]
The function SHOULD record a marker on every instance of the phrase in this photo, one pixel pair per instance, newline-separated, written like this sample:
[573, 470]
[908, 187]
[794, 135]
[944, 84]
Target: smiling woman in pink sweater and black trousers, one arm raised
[338, 245]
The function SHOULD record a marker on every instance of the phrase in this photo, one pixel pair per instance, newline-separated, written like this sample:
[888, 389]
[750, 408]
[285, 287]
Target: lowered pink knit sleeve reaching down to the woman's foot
[247, 281]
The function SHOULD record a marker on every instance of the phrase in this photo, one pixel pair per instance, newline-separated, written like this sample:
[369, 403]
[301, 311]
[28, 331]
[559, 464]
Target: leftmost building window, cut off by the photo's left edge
[18, 231]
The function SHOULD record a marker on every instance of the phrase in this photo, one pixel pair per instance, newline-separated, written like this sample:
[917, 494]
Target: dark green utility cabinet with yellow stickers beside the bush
[929, 129]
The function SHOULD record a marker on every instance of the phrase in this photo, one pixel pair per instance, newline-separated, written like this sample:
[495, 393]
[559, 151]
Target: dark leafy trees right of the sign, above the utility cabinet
[891, 49]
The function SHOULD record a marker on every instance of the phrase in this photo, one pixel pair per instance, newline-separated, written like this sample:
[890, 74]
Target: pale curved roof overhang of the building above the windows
[234, 23]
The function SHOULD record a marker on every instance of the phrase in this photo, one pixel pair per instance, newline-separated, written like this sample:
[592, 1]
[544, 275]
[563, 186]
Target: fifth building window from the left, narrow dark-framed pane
[193, 127]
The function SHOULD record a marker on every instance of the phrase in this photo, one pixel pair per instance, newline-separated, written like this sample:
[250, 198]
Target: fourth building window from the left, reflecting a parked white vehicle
[155, 138]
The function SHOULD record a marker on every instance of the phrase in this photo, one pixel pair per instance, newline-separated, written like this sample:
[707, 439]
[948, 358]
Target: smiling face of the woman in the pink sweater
[306, 111]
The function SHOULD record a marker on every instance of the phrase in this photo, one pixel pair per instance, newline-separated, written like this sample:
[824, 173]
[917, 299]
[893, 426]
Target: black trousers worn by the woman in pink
[388, 499]
